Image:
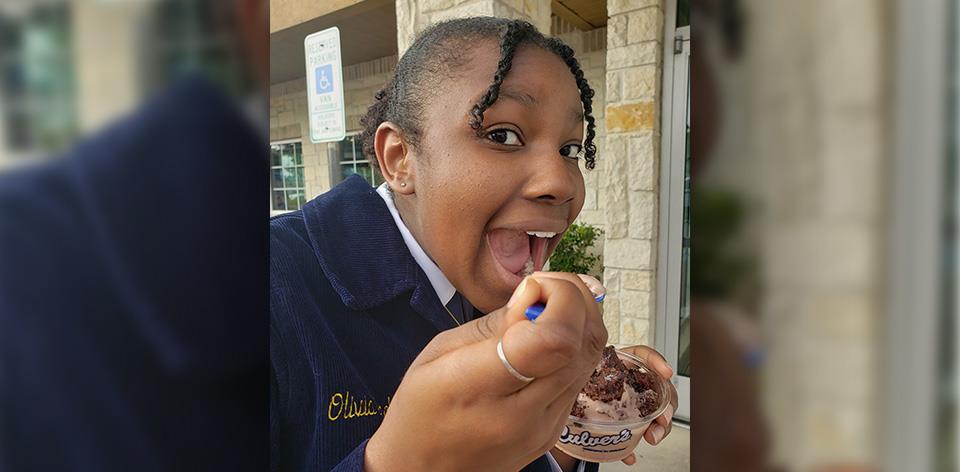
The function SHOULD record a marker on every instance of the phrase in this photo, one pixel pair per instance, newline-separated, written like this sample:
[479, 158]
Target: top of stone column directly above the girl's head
[415, 15]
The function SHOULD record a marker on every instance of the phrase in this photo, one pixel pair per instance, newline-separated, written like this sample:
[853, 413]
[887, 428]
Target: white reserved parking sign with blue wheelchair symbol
[325, 86]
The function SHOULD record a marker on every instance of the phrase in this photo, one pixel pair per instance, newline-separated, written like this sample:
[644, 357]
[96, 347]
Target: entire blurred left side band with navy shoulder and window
[133, 308]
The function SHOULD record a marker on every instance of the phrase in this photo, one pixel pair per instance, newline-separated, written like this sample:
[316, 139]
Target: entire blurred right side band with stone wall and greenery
[824, 199]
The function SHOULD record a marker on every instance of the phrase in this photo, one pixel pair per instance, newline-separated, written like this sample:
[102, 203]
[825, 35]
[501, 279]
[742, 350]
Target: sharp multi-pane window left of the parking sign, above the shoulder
[287, 190]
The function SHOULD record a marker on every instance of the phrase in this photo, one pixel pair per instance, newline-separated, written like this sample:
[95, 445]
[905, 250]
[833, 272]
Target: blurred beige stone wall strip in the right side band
[819, 108]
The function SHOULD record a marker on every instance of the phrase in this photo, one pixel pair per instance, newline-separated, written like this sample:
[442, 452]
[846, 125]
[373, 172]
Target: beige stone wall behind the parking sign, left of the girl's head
[288, 115]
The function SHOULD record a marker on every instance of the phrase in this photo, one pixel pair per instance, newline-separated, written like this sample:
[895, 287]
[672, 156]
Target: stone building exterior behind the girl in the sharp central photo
[620, 46]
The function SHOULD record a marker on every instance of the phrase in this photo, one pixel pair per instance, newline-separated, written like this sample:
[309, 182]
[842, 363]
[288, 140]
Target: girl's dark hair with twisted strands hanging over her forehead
[437, 51]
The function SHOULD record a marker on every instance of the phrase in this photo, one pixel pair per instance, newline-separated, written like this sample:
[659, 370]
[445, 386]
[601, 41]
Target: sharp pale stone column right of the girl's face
[629, 177]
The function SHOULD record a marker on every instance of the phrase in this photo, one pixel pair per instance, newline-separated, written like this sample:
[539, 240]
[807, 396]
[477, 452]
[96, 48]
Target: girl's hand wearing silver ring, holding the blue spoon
[458, 407]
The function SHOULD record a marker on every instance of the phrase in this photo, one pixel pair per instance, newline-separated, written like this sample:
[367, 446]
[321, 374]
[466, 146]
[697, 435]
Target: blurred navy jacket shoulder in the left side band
[133, 302]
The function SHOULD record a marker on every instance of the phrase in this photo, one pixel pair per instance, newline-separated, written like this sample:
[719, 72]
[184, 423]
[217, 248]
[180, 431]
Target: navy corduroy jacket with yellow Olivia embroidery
[350, 310]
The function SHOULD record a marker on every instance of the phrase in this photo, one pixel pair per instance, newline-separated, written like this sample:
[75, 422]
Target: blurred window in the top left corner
[37, 106]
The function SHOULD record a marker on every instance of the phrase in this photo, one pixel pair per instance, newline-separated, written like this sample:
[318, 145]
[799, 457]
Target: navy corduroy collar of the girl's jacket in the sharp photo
[362, 253]
